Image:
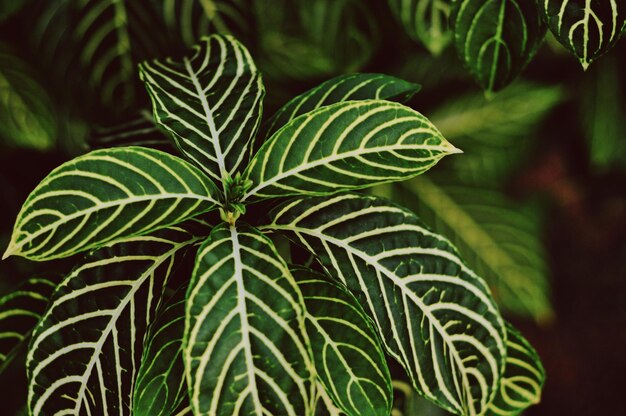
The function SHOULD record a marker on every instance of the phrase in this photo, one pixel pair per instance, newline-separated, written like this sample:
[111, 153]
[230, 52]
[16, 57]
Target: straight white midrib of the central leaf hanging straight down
[243, 315]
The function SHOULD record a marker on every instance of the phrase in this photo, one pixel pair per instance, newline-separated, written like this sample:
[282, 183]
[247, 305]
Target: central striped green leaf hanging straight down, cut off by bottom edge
[244, 346]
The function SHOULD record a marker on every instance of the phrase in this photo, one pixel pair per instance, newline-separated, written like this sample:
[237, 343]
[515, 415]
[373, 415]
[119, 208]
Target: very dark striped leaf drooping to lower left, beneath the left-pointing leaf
[86, 350]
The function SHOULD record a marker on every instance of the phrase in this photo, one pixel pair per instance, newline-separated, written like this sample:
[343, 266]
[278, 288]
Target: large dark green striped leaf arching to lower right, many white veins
[432, 313]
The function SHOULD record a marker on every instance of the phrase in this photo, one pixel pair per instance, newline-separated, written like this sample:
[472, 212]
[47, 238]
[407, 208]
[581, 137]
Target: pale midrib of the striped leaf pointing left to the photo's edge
[110, 204]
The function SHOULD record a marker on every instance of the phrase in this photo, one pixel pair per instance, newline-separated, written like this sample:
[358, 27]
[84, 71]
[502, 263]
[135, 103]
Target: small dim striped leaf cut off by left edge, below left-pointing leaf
[19, 313]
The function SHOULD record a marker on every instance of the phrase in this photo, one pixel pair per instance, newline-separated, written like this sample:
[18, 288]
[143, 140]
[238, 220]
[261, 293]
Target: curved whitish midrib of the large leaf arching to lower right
[372, 262]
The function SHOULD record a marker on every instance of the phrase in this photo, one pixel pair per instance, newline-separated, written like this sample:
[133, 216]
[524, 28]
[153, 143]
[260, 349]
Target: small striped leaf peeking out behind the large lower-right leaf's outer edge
[523, 377]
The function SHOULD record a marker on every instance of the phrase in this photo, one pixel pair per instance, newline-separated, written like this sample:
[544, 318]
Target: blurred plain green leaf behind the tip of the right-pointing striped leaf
[493, 132]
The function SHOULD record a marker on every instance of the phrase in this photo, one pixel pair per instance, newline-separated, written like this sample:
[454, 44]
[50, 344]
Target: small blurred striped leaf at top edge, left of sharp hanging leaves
[425, 21]
